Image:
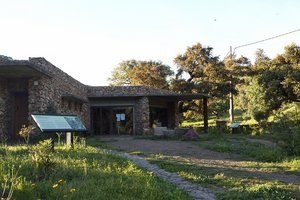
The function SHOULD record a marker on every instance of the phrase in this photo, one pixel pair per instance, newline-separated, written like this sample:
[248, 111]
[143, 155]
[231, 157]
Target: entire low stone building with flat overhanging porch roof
[35, 86]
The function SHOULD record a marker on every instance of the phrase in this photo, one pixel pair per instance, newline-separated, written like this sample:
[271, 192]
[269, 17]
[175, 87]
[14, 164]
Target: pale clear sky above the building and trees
[88, 38]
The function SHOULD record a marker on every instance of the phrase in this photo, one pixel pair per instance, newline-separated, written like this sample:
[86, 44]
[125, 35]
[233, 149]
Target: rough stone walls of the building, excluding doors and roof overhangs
[55, 90]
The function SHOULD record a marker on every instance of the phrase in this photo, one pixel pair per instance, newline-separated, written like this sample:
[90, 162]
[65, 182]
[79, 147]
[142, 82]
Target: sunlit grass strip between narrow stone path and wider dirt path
[230, 183]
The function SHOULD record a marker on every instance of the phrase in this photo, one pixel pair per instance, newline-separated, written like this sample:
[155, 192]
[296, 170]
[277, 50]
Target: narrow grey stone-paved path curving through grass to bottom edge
[195, 190]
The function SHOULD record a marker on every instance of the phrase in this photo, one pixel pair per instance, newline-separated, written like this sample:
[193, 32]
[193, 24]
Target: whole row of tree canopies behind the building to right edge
[259, 88]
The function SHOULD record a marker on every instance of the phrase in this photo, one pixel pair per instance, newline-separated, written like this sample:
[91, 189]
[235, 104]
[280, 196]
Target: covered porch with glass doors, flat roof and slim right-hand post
[133, 114]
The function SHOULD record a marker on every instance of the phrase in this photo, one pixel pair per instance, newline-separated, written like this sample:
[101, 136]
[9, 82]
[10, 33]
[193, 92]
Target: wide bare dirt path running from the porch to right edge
[187, 152]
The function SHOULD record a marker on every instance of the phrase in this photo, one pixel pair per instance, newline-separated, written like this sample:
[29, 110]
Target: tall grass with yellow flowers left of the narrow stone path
[80, 173]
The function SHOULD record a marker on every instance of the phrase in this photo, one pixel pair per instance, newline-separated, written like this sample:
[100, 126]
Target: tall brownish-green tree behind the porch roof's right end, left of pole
[199, 71]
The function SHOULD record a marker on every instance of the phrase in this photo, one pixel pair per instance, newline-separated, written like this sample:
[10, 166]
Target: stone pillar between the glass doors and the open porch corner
[142, 115]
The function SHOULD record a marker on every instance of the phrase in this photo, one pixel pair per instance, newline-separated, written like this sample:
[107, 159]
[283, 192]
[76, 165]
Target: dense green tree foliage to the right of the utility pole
[274, 82]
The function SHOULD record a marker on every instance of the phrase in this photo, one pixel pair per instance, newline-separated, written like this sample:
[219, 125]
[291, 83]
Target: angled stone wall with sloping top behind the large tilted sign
[48, 93]
